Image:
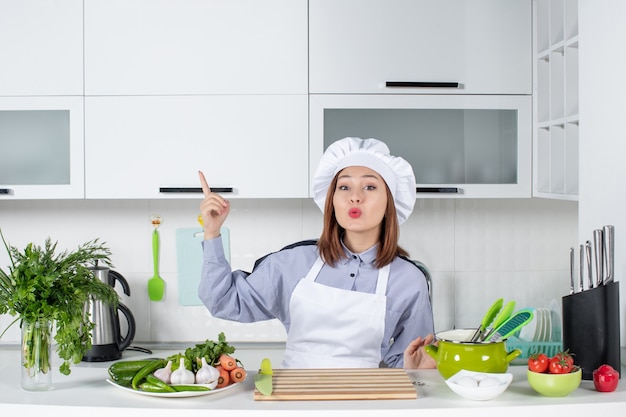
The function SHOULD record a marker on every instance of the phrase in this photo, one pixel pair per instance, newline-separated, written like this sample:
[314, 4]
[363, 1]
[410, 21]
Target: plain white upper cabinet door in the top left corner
[41, 47]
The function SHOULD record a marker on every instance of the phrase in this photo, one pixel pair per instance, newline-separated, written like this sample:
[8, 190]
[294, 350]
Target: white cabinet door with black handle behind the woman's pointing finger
[256, 145]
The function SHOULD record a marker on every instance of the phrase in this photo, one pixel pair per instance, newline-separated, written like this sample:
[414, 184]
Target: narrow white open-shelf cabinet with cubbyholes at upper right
[556, 137]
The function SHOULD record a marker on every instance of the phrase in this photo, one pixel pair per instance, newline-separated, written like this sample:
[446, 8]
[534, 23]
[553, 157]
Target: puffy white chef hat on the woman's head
[373, 154]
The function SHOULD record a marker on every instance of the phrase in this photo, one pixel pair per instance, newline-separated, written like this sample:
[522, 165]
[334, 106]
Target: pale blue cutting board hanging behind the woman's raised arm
[189, 261]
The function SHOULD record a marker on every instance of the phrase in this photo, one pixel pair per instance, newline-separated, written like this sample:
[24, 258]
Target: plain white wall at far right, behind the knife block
[602, 132]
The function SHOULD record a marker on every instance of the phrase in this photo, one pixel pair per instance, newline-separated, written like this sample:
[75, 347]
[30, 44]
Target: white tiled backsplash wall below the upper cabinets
[477, 250]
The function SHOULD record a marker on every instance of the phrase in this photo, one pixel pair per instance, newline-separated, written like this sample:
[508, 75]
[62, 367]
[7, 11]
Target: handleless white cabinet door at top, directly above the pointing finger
[195, 47]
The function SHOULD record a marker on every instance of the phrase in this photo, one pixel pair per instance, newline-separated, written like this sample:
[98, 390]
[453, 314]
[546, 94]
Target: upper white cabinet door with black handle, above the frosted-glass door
[357, 46]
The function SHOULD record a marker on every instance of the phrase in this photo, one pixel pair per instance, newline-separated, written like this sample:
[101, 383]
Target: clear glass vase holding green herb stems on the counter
[36, 355]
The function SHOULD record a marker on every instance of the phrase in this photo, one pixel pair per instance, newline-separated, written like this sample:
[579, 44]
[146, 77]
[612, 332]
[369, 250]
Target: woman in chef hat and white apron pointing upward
[350, 299]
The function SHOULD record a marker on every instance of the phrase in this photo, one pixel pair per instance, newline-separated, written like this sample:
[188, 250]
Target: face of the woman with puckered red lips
[360, 200]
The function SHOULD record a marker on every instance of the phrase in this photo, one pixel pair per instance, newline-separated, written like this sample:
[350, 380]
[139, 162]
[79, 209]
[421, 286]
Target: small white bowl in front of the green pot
[479, 386]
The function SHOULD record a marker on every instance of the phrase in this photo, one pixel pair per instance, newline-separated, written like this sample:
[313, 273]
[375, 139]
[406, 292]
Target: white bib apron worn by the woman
[335, 328]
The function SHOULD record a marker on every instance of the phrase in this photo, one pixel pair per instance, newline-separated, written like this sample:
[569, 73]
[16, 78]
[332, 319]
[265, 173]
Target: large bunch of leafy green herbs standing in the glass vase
[41, 284]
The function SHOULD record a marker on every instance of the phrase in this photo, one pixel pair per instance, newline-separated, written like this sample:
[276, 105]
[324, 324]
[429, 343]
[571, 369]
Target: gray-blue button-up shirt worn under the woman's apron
[264, 293]
